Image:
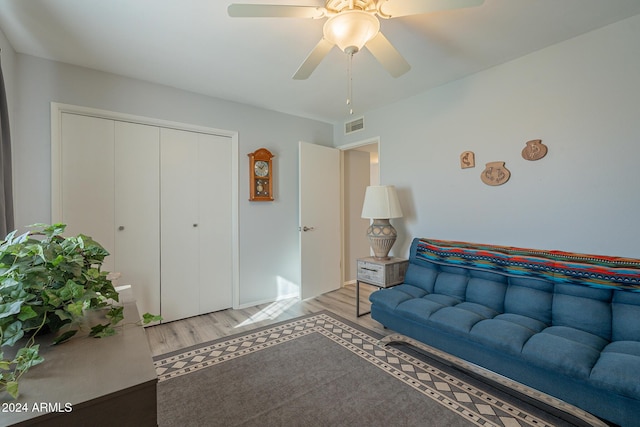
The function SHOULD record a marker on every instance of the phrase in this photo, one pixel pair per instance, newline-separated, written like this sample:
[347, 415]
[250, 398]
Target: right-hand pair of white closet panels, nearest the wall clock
[195, 223]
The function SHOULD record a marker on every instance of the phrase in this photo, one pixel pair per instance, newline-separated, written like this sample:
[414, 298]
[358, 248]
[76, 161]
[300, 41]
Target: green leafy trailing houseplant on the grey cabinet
[47, 282]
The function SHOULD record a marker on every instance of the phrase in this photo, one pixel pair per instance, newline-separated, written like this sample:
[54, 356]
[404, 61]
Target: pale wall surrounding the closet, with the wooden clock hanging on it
[269, 261]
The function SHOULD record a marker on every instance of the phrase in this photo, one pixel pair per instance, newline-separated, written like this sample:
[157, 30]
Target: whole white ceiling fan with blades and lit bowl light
[351, 25]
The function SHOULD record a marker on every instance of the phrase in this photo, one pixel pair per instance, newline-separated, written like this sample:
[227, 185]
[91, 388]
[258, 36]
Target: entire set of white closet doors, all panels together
[160, 200]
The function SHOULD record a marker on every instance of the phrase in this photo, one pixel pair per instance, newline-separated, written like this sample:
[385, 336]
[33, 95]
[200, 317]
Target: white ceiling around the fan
[194, 45]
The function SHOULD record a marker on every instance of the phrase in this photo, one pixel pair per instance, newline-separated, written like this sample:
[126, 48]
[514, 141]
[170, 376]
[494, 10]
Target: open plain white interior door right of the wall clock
[319, 197]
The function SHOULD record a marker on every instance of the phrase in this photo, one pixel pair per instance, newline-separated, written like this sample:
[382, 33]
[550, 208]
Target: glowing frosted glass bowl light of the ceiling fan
[350, 30]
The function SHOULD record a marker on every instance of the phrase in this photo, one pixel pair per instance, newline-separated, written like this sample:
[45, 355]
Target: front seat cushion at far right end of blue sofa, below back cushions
[618, 367]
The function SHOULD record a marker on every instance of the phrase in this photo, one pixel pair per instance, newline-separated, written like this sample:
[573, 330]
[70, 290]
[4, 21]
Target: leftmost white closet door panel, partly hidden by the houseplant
[86, 179]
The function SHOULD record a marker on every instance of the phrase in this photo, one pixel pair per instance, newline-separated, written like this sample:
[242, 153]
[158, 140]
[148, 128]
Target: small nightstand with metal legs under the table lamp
[380, 273]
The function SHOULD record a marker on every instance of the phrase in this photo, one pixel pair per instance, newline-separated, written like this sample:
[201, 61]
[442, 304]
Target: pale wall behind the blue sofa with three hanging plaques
[581, 97]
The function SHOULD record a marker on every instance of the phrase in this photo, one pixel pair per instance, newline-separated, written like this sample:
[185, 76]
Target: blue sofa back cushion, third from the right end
[531, 298]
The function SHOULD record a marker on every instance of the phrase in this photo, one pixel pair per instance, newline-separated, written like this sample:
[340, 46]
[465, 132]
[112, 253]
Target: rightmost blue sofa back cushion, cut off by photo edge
[625, 316]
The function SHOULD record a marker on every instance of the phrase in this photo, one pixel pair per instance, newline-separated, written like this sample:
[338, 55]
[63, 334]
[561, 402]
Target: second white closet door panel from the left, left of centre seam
[136, 207]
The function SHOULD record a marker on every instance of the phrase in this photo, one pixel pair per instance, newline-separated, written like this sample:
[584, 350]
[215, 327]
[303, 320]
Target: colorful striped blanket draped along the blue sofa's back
[557, 266]
